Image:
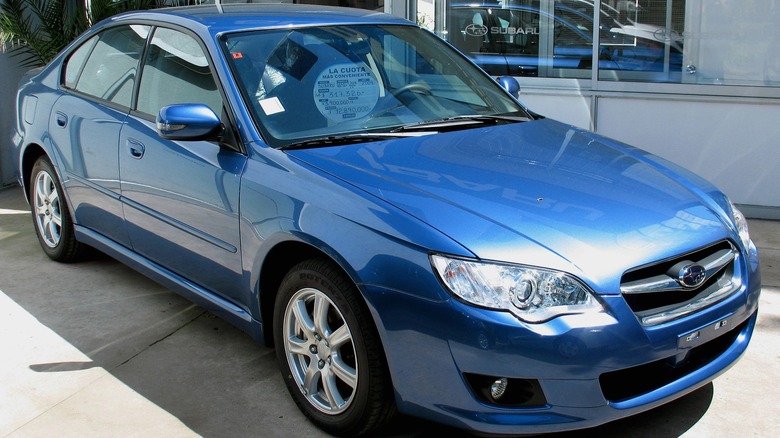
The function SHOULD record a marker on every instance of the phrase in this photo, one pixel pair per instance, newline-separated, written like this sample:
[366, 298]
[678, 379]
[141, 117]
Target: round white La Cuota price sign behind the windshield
[346, 91]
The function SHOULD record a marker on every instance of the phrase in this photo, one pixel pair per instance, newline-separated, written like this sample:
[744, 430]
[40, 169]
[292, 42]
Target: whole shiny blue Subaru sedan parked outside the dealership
[351, 190]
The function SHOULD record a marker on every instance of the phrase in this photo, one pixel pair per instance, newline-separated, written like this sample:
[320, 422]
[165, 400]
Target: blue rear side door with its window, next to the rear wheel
[86, 121]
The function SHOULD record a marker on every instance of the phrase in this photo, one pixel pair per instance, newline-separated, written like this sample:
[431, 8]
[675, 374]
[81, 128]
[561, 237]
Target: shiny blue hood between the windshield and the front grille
[538, 193]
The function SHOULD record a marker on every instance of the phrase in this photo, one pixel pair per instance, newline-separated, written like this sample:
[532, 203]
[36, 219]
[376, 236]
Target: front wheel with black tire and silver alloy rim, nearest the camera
[329, 351]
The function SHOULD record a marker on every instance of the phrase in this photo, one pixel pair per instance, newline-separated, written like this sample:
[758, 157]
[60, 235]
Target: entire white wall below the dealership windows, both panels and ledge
[732, 142]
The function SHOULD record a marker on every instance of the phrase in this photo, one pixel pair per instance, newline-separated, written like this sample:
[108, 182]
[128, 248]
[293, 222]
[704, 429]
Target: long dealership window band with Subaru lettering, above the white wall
[666, 41]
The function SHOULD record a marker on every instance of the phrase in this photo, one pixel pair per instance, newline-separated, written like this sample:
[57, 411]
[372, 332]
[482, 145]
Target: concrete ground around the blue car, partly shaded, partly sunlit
[95, 349]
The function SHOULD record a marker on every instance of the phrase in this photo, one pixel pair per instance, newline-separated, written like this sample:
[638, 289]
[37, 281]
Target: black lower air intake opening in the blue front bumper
[632, 382]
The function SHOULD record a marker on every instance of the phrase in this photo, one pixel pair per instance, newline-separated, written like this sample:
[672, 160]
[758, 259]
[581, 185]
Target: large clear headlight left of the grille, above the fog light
[531, 294]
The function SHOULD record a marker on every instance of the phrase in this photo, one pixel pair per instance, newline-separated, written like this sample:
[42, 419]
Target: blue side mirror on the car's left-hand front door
[190, 121]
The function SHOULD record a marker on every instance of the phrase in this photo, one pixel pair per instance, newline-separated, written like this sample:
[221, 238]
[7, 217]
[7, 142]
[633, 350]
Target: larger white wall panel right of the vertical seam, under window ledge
[735, 145]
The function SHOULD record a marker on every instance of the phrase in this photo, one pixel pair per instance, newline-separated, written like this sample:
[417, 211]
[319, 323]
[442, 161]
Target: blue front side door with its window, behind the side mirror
[181, 198]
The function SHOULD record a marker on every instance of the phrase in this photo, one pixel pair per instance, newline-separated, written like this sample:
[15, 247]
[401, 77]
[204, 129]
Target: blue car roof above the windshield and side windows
[234, 17]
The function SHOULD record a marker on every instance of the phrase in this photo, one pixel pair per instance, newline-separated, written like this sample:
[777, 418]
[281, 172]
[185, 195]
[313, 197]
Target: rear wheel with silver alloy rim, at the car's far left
[50, 213]
